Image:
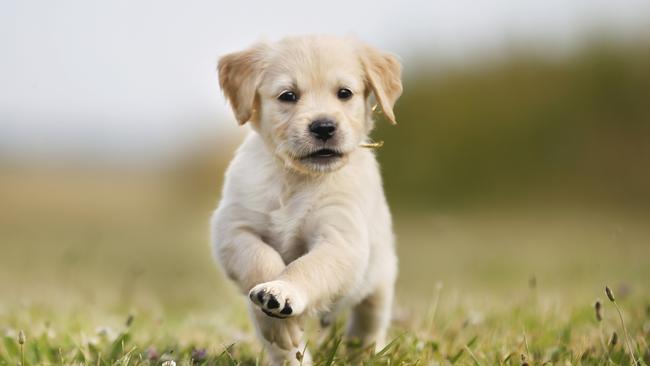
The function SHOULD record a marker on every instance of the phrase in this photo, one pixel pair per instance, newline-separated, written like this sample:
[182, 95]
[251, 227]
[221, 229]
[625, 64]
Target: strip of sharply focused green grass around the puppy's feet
[529, 330]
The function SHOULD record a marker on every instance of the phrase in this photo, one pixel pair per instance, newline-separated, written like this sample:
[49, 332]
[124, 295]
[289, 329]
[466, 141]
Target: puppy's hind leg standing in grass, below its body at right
[370, 318]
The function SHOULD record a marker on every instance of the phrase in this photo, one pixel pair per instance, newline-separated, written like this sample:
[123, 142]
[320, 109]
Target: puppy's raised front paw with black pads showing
[278, 299]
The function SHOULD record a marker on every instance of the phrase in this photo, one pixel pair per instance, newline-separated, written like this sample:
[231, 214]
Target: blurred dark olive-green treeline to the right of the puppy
[525, 127]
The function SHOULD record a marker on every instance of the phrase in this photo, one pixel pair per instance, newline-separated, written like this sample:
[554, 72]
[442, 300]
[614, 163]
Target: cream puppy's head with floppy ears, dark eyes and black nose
[309, 97]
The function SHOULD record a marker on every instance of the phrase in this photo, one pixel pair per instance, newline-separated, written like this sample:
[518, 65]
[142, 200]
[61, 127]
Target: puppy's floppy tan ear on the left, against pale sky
[239, 77]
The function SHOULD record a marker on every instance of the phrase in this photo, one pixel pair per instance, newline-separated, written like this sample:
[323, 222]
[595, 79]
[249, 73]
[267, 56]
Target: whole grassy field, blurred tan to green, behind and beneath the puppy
[97, 270]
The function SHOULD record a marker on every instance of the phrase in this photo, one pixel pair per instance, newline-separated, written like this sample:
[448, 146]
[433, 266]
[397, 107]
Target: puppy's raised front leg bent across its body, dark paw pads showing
[335, 263]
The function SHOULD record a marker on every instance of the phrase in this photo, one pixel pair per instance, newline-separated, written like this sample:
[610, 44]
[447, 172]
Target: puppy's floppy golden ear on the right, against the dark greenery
[384, 76]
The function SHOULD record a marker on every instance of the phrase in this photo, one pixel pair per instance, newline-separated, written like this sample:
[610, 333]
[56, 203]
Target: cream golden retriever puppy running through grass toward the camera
[303, 227]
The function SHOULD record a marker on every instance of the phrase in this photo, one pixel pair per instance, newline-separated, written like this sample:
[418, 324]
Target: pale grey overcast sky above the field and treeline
[139, 76]
